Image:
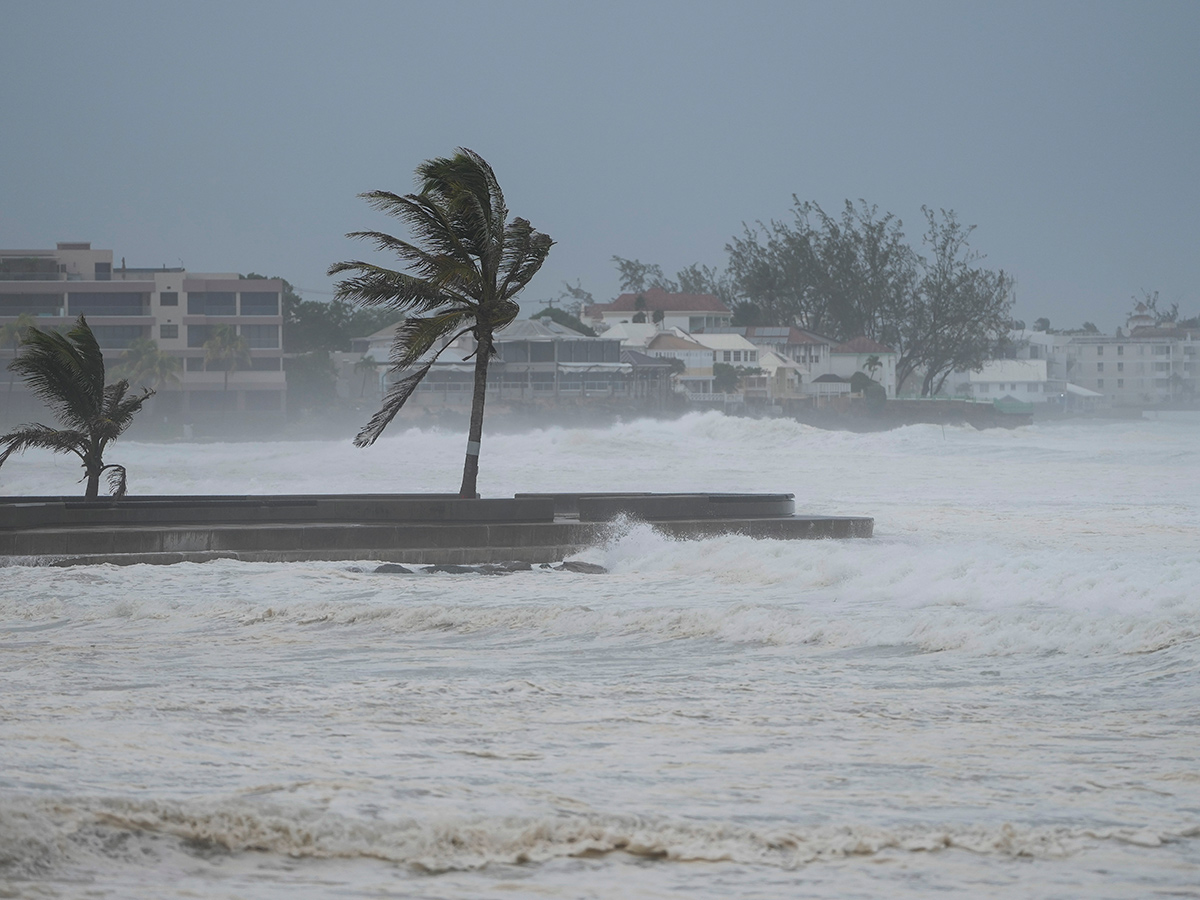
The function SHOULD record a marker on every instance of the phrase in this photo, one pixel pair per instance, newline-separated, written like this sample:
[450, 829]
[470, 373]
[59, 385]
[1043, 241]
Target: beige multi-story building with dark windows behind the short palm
[176, 309]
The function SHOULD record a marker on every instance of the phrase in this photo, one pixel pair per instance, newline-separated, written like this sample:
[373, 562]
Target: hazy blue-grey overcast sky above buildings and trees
[235, 136]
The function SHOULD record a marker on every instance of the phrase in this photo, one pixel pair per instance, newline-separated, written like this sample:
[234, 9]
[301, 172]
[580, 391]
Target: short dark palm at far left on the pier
[68, 373]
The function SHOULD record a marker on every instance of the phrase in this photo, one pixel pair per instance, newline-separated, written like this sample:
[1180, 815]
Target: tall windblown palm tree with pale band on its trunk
[466, 265]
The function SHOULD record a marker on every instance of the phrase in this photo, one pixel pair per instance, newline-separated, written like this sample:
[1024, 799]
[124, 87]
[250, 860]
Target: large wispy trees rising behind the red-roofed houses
[856, 274]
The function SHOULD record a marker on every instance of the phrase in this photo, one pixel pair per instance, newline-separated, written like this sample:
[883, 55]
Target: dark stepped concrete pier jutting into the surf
[401, 529]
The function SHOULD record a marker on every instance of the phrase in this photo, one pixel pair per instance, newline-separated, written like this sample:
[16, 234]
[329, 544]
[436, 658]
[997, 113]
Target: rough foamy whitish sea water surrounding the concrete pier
[999, 695]
